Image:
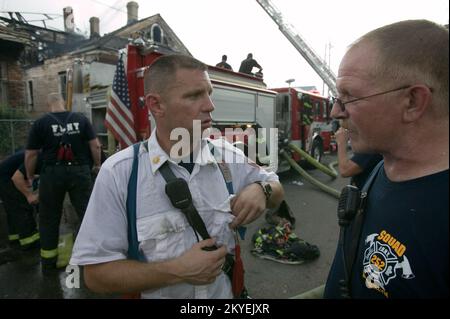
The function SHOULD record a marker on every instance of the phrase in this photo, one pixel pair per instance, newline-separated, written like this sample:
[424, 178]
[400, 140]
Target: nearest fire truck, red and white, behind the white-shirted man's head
[244, 107]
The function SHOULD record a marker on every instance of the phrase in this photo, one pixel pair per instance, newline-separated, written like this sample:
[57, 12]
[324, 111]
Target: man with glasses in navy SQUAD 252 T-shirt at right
[393, 100]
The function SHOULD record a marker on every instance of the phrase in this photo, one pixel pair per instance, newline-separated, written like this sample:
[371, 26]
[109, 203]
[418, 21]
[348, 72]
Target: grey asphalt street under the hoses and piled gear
[316, 222]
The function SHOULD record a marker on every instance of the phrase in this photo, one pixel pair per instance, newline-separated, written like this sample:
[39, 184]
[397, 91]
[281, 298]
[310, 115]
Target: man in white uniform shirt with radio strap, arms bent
[178, 92]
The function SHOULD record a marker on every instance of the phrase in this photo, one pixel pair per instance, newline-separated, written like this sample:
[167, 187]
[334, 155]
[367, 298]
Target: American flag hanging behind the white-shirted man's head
[119, 119]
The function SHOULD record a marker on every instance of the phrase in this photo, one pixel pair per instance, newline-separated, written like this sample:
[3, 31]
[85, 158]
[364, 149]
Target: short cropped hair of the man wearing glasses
[412, 52]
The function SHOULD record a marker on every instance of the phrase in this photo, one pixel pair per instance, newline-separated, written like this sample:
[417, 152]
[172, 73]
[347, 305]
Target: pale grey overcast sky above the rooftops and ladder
[210, 28]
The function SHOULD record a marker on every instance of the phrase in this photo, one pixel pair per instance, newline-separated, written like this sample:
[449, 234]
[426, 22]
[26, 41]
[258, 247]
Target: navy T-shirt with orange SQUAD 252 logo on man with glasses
[404, 246]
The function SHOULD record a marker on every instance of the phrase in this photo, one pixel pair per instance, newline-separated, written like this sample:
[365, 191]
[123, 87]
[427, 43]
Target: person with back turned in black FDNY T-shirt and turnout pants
[69, 145]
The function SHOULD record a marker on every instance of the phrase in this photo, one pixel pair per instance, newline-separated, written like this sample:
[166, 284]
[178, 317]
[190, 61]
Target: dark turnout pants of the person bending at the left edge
[20, 216]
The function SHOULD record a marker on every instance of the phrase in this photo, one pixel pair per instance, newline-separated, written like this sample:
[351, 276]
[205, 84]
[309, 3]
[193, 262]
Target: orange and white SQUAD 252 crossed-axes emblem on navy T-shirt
[384, 259]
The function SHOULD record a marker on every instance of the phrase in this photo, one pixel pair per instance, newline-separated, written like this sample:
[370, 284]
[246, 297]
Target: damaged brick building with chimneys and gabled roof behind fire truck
[38, 59]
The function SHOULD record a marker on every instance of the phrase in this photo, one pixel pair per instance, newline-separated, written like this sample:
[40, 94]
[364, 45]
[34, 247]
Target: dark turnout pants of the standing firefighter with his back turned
[55, 182]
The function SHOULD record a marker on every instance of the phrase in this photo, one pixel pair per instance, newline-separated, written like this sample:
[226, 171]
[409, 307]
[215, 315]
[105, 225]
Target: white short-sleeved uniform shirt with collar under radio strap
[163, 231]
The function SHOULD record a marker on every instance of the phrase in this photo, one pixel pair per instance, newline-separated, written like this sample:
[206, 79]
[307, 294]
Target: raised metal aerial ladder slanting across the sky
[316, 62]
